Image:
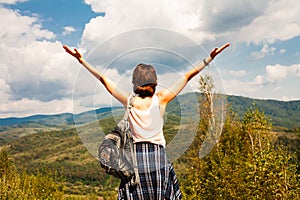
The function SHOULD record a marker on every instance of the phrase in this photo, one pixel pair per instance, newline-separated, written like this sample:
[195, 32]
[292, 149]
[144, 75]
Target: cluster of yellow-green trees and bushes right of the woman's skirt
[244, 165]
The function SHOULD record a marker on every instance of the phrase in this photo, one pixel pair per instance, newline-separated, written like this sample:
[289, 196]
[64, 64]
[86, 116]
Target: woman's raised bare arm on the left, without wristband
[110, 86]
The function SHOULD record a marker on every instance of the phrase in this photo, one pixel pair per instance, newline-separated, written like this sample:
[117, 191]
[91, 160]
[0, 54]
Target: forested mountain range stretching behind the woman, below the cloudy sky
[54, 143]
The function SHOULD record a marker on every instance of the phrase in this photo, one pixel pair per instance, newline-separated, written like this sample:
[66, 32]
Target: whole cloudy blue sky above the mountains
[38, 77]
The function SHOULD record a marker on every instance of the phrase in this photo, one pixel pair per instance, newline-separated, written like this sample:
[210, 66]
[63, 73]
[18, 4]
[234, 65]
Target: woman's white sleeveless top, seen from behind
[147, 125]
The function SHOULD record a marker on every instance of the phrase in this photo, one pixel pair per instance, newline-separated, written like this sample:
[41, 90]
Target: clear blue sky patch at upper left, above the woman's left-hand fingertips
[55, 15]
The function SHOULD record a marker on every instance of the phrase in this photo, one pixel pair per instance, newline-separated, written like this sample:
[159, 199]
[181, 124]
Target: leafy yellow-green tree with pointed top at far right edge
[269, 173]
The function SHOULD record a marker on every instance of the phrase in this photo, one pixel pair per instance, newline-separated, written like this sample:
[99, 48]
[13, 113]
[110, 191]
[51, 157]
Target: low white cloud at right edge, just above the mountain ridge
[278, 82]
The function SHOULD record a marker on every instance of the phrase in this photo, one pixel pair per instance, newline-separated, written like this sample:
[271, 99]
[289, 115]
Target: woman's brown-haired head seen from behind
[144, 80]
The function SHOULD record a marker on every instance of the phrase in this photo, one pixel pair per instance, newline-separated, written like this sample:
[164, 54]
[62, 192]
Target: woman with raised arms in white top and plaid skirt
[157, 176]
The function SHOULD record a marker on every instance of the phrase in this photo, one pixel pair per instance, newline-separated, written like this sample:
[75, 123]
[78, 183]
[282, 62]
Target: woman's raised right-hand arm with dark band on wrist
[166, 95]
